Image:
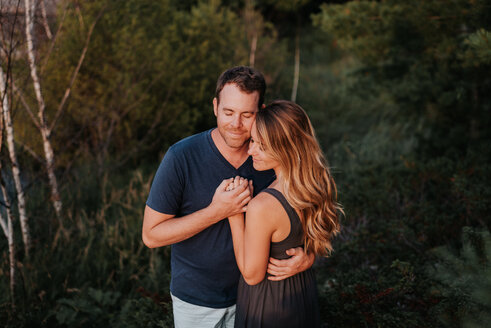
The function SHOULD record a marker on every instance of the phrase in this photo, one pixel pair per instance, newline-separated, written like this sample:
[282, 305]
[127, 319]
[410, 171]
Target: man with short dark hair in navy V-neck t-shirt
[186, 209]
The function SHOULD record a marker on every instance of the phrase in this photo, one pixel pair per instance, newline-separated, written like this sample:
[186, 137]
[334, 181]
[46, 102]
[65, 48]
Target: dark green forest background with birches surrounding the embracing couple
[94, 92]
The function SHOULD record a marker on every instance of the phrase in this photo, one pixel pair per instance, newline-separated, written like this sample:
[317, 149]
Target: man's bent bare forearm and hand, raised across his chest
[161, 229]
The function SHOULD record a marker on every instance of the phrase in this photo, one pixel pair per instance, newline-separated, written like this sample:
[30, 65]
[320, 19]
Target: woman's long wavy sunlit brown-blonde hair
[286, 134]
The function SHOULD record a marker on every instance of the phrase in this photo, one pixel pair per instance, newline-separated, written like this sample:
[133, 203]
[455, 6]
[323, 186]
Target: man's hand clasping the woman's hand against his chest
[229, 202]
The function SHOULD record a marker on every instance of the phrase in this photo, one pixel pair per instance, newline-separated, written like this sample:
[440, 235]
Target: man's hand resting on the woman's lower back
[282, 269]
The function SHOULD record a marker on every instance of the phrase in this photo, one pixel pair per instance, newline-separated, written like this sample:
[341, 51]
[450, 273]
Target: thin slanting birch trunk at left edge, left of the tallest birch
[9, 129]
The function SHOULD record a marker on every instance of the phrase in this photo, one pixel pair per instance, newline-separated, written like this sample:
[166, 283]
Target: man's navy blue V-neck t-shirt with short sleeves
[203, 267]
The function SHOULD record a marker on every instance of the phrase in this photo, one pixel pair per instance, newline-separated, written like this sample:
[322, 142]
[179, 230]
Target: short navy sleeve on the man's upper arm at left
[166, 192]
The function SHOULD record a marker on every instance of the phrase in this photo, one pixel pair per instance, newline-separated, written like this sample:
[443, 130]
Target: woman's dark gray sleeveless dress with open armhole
[291, 302]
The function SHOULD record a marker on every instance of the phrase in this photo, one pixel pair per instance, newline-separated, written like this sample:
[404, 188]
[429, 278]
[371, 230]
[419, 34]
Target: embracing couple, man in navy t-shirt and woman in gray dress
[246, 206]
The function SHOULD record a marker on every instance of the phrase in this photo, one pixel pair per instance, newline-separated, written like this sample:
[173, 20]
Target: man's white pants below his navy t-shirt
[188, 315]
